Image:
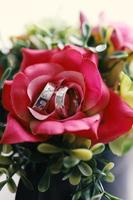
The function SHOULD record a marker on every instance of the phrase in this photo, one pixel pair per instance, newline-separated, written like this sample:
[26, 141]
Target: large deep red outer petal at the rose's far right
[117, 119]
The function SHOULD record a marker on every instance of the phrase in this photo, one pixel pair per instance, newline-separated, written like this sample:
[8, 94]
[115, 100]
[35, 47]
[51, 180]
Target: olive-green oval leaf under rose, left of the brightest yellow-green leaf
[48, 148]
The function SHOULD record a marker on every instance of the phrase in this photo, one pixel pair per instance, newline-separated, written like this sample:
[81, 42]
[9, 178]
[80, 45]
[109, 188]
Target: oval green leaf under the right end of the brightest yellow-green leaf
[85, 169]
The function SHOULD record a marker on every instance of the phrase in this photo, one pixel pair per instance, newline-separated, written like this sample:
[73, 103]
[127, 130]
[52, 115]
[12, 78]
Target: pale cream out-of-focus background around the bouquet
[15, 14]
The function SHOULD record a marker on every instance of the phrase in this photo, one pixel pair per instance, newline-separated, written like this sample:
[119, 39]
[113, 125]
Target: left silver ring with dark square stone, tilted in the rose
[44, 97]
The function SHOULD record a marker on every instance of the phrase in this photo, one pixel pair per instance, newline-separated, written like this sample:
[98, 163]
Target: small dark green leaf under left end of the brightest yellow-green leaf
[70, 161]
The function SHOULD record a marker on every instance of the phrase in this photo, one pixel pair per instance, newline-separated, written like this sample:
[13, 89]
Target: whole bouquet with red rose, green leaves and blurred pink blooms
[66, 99]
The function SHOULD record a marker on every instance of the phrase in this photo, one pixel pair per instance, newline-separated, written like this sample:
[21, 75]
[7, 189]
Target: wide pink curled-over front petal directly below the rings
[84, 127]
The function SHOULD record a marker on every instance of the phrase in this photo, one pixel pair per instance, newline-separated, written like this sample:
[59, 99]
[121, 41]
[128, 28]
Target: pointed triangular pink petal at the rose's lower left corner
[15, 133]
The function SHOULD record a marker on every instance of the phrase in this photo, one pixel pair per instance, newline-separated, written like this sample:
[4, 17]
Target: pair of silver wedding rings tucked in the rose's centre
[66, 99]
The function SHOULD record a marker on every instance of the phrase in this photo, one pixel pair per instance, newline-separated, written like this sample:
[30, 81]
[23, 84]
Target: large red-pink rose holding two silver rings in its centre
[61, 91]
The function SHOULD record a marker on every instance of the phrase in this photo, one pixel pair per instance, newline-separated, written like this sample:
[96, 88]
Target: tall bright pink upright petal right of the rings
[96, 91]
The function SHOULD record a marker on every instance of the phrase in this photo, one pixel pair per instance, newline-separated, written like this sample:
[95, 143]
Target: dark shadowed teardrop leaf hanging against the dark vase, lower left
[44, 182]
